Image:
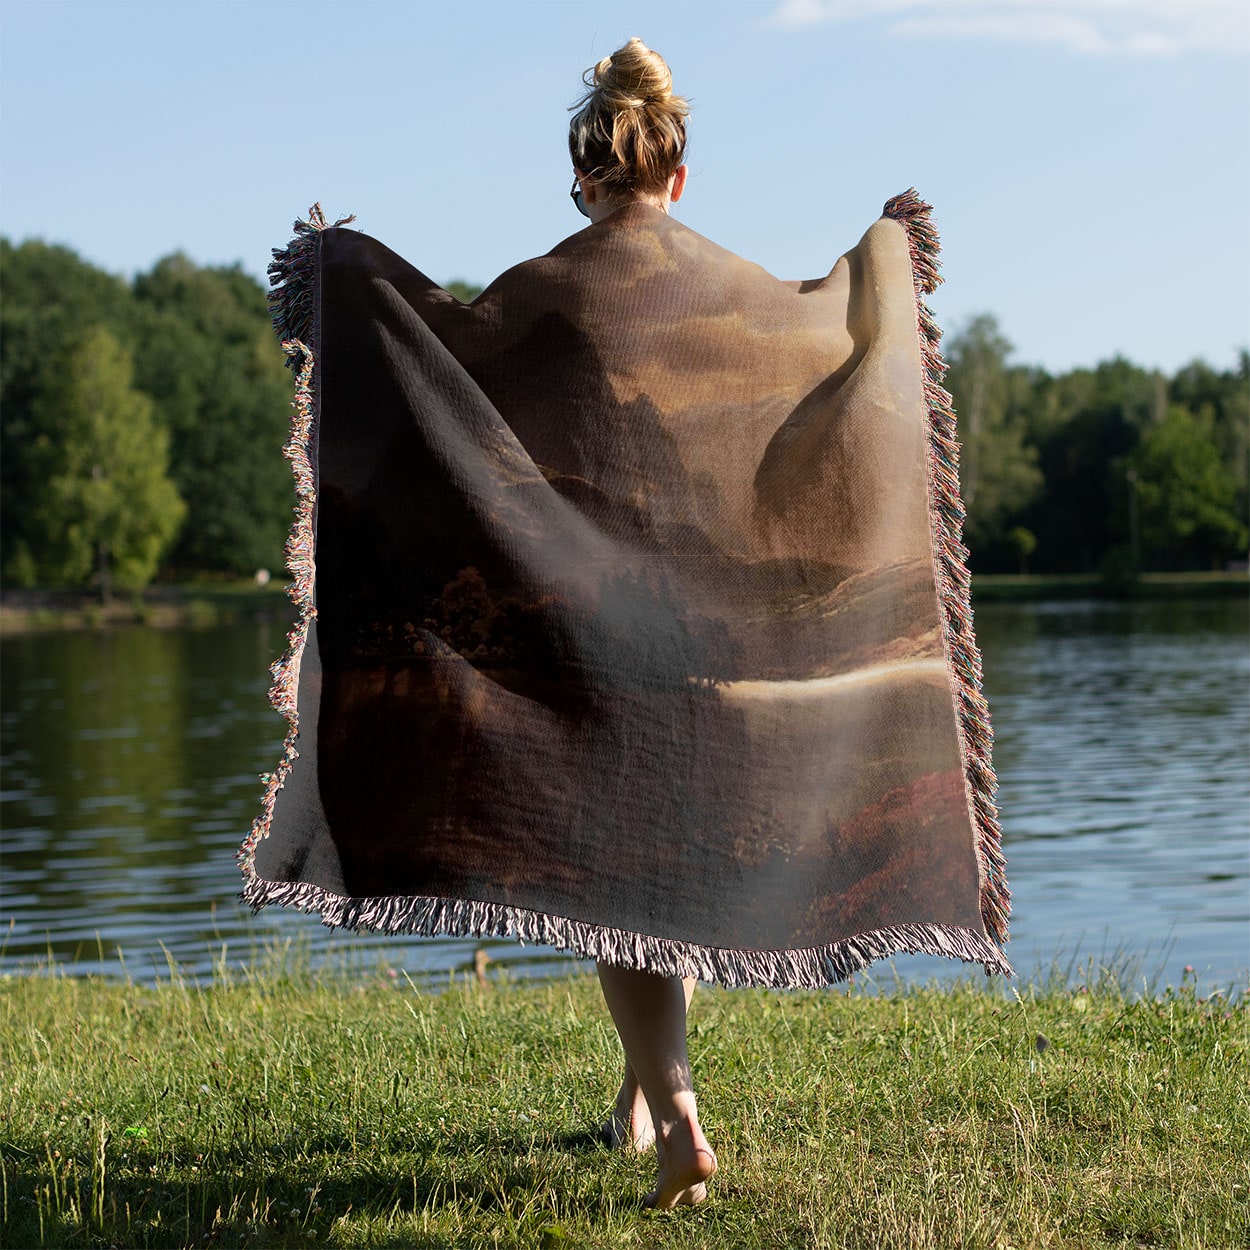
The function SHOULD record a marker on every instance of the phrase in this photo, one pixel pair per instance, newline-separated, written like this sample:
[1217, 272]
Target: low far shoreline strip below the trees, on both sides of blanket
[207, 604]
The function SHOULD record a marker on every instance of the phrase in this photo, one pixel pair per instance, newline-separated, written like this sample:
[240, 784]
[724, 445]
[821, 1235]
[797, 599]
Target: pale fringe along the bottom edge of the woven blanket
[811, 968]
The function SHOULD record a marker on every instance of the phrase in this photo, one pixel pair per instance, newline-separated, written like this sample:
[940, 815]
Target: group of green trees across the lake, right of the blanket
[1114, 471]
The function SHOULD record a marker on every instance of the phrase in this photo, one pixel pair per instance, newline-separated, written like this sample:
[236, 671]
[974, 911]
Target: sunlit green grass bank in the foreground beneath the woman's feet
[282, 1111]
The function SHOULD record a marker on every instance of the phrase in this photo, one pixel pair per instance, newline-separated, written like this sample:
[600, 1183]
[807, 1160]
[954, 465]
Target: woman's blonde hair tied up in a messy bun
[629, 132]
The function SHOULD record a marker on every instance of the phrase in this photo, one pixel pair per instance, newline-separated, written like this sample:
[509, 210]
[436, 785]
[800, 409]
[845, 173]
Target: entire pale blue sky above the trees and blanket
[1088, 159]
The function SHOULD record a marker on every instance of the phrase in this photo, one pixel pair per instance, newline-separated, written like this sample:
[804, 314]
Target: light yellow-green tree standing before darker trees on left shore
[103, 507]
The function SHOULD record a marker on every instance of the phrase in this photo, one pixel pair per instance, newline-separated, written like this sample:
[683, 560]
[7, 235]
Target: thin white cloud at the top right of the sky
[1093, 28]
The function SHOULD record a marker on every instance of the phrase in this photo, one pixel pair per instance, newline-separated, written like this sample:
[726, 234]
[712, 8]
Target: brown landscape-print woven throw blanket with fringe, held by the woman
[634, 618]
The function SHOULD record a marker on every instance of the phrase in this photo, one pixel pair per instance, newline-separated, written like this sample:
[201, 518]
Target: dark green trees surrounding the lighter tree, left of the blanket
[204, 356]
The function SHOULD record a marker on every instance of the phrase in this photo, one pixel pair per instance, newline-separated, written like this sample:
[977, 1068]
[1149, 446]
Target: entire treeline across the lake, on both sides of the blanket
[141, 426]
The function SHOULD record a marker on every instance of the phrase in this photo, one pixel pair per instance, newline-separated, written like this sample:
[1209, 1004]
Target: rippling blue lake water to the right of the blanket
[1123, 736]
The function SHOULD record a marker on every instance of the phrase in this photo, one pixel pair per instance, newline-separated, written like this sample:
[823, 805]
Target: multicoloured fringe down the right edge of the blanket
[951, 561]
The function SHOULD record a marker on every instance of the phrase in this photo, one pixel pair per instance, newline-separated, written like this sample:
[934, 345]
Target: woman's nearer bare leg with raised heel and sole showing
[651, 1016]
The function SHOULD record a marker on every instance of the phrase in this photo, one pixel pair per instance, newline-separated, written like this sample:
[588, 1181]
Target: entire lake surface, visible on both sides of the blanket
[132, 758]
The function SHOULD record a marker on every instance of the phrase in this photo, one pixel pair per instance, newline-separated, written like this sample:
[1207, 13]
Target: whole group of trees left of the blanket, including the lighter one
[141, 423]
